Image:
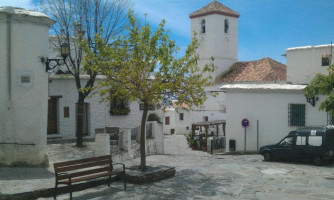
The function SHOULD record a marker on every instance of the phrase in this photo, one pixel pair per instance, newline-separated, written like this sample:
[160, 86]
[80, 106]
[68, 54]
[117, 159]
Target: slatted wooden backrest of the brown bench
[84, 167]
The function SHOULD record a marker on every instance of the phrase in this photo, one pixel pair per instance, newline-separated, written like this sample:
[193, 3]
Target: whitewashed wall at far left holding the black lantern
[23, 110]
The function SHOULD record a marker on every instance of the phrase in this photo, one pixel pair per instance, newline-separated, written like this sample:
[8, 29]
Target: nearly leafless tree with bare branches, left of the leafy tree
[78, 20]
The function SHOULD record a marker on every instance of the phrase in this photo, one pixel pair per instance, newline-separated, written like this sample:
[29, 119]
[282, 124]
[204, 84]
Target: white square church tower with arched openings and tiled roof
[217, 30]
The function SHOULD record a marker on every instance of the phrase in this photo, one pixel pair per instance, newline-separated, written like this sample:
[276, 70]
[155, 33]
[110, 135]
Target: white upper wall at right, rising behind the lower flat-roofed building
[304, 62]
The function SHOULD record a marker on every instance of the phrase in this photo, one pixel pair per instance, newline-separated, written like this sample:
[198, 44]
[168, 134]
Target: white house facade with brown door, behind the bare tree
[63, 98]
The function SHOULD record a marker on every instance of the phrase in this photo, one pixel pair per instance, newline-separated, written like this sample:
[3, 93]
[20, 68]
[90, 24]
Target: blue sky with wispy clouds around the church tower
[266, 27]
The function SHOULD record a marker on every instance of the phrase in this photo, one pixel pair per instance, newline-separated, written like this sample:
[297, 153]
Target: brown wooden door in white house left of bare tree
[52, 116]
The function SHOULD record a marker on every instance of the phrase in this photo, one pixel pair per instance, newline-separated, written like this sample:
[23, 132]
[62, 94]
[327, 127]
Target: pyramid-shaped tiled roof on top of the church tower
[214, 8]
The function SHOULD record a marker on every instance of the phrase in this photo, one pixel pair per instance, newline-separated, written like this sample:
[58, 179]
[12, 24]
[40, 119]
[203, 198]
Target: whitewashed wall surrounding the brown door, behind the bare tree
[98, 116]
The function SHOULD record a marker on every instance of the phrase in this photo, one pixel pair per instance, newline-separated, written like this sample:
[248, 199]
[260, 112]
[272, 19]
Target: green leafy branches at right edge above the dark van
[323, 84]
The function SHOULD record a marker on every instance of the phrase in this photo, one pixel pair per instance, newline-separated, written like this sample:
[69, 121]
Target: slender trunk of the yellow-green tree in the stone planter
[142, 138]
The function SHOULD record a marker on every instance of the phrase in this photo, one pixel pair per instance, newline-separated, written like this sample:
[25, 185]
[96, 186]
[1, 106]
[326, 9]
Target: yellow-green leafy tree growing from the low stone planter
[143, 67]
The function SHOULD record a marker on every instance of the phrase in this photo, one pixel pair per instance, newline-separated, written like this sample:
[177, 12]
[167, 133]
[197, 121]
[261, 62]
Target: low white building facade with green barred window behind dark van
[273, 110]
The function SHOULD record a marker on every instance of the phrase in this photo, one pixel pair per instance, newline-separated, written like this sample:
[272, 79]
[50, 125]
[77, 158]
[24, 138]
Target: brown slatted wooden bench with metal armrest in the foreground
[74, 171]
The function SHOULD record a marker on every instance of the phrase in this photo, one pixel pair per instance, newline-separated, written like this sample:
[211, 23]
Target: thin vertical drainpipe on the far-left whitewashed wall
[9, 56]
